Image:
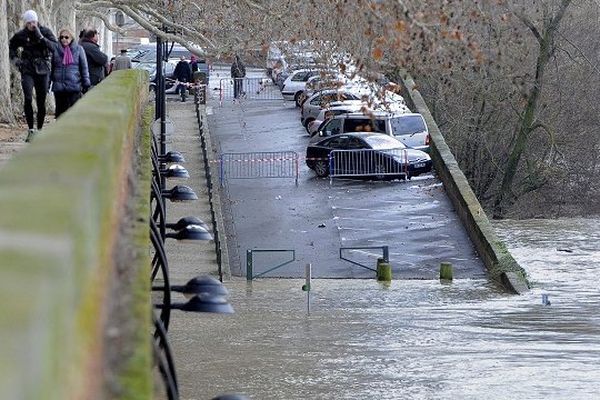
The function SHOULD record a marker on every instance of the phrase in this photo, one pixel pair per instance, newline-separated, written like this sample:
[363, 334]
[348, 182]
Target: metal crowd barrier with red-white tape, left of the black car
[274, 164]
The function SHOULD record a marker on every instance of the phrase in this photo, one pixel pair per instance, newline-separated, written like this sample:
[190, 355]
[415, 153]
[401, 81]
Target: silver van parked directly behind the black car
[410, 128]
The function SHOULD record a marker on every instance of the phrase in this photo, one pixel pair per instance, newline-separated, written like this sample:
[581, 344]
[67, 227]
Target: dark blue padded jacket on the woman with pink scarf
[73, 77]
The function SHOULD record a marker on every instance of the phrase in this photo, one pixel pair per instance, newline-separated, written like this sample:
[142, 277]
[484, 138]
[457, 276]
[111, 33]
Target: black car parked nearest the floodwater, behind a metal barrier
[361, 154]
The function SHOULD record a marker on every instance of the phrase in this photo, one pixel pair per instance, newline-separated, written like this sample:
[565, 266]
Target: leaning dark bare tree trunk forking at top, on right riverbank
[505, 197]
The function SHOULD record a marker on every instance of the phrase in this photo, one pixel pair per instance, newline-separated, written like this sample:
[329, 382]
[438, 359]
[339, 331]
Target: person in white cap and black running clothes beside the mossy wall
[34, 64]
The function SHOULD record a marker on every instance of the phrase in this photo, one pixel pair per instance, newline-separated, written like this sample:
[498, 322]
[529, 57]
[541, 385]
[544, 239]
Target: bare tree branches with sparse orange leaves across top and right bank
[512, 83]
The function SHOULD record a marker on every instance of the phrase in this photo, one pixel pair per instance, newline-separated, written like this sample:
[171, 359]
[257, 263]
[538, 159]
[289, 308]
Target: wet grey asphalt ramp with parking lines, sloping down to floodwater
[413, 218]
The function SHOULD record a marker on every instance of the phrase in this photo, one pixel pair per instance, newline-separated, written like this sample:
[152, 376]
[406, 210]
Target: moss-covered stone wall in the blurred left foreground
[62, 207]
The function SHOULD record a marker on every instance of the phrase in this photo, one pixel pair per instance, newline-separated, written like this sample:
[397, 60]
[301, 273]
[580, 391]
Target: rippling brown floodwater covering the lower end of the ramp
[413, 339]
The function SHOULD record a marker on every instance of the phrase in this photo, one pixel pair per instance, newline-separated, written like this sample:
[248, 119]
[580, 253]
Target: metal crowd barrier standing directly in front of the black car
[367, 162]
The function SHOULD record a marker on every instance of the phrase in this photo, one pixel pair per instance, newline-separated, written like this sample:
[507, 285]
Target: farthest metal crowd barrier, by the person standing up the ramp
[250, 89]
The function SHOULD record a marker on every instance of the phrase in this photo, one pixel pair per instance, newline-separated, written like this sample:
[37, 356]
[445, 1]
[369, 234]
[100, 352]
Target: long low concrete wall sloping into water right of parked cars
[502, 267]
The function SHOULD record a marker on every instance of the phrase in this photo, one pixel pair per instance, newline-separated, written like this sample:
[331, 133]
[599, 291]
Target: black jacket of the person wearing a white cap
[36, 52]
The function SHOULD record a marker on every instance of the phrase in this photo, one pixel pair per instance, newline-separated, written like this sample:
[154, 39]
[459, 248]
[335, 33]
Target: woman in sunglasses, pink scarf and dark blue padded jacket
[70, 74]
